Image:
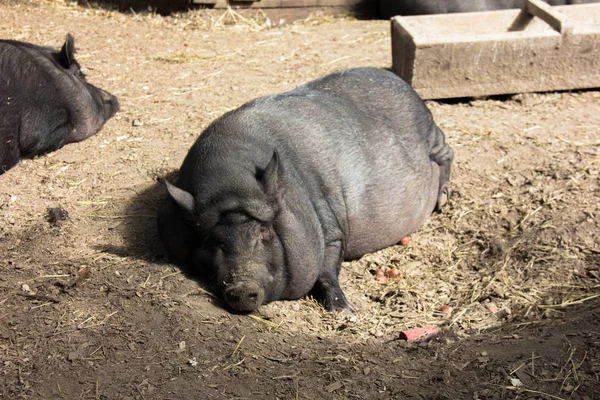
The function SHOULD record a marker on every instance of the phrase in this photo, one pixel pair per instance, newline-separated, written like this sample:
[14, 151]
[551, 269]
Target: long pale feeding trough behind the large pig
[476, 54]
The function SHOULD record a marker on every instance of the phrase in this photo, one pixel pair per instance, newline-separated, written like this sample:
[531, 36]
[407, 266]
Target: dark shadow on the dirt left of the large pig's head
[139, 230]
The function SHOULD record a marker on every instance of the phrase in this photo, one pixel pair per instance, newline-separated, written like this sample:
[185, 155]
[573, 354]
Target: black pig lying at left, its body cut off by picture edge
[45, 101]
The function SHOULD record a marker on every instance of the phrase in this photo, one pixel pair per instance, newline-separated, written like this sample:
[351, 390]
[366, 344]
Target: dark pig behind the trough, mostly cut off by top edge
[390, 8]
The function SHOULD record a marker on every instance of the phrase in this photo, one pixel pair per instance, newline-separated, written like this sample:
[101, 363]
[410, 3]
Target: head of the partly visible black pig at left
[100, 105]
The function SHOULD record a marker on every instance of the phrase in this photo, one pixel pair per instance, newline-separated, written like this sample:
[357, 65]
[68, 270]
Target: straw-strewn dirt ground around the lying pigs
[91, 309]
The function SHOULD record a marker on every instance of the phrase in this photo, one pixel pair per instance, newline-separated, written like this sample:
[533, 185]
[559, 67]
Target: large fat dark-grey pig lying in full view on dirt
[274, 195]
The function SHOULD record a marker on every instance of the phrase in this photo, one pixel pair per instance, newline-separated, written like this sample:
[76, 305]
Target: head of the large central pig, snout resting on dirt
[236, 227]
